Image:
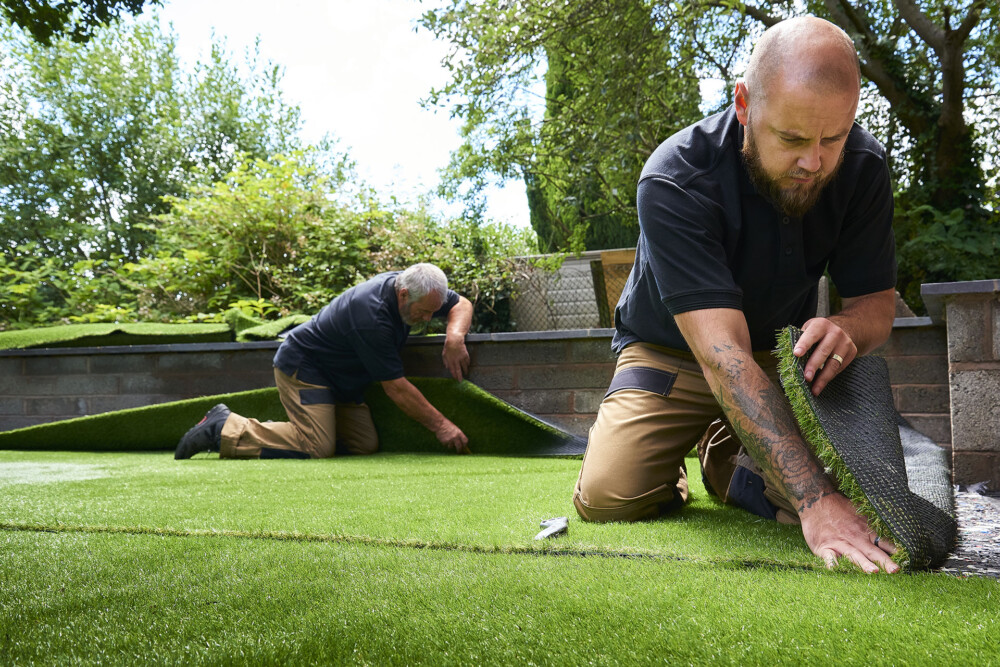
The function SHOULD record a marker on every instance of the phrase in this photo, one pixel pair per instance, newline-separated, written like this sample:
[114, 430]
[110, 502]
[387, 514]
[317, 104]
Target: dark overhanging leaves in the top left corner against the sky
[75, 19]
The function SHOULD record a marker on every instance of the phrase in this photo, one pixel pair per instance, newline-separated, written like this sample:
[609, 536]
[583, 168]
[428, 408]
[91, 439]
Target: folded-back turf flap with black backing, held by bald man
[852, 427]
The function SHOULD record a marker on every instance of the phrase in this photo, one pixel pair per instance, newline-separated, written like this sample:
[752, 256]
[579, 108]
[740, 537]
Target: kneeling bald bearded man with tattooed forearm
[740, 215]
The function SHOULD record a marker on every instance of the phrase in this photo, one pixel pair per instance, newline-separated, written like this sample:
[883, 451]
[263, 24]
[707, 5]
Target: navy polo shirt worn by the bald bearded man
[708, 239]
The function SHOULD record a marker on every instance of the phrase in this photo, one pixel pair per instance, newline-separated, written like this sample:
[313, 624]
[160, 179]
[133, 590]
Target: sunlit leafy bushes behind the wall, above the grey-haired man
[273, 238]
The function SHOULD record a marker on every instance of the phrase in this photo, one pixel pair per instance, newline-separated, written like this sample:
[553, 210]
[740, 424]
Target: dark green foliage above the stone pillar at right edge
[934, 247]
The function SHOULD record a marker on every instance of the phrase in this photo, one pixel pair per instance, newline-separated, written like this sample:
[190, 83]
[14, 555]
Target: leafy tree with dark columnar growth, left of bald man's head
[569, 97]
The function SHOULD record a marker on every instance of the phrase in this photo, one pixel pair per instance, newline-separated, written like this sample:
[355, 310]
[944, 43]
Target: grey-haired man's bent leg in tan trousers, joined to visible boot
[310, 430]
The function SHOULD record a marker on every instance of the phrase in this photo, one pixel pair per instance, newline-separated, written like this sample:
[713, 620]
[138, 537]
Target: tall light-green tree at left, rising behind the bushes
[94, 136]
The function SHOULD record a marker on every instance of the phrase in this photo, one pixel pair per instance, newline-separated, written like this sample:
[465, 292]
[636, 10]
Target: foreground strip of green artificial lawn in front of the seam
[124, 599]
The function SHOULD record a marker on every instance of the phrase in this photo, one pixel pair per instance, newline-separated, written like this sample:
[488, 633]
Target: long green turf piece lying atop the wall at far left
[103, 334]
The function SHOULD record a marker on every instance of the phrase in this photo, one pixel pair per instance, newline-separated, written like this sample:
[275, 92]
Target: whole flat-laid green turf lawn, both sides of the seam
[428, 559]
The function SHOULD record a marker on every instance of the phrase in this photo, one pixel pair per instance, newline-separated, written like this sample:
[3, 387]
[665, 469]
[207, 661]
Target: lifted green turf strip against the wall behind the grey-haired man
[491, 425]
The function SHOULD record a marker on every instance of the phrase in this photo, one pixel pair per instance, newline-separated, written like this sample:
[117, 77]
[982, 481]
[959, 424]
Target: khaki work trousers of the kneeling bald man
[634, 465]
